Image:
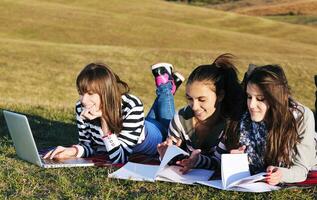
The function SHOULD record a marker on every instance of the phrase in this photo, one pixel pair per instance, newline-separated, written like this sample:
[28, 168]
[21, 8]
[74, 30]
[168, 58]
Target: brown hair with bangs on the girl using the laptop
[99, 78]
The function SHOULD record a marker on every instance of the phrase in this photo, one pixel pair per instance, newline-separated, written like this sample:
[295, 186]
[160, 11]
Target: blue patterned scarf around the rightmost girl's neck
[253, 136]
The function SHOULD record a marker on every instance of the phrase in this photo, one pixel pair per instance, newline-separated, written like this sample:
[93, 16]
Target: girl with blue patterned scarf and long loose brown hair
[276, 132]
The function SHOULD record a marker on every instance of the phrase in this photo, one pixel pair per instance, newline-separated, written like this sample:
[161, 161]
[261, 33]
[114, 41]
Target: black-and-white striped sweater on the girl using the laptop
[117, 146]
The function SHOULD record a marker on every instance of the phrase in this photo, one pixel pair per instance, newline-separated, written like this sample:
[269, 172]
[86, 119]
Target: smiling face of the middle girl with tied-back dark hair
[202, 99]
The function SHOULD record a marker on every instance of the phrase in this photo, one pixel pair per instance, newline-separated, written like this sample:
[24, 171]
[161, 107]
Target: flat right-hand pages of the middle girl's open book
[173, 174]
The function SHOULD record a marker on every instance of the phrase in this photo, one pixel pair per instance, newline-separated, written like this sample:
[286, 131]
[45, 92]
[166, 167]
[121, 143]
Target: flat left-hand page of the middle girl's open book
[136, 171]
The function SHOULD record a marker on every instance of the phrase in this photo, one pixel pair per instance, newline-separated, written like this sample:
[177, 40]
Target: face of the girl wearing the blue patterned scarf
[257, 104]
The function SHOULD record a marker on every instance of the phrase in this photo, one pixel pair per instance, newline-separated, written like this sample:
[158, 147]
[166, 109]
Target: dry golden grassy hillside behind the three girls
[45, 43]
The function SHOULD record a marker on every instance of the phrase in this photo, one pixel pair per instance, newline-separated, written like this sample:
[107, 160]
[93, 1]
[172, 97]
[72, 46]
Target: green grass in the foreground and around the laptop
[23, 180]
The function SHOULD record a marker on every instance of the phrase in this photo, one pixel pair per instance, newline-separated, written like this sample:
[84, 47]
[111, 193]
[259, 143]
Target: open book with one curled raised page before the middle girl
[162, 172]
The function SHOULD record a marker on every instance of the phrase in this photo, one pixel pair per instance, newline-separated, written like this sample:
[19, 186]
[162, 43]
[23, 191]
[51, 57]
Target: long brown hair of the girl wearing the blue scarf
[282, 126]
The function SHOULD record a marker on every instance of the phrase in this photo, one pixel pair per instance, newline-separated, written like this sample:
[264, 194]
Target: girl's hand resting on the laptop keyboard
[61, 153]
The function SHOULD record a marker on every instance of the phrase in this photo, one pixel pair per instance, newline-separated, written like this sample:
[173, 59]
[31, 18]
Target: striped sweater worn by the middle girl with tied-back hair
[181, 127]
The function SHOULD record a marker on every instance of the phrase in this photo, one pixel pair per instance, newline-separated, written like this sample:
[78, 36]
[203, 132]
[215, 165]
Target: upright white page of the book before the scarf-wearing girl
[233, 167]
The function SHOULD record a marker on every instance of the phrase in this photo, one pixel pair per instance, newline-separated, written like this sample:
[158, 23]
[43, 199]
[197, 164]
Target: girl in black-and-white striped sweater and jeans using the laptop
[111, 121]
